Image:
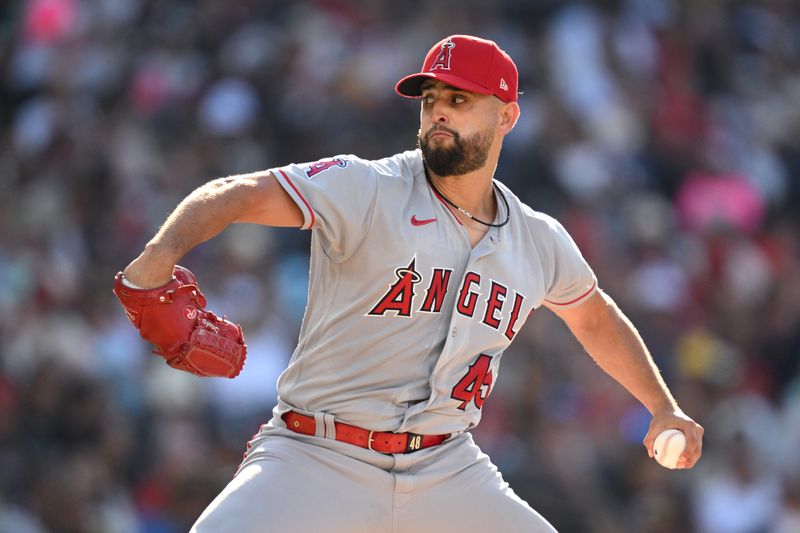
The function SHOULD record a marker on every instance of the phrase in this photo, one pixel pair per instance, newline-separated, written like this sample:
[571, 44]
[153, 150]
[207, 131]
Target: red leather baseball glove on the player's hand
[173, 317]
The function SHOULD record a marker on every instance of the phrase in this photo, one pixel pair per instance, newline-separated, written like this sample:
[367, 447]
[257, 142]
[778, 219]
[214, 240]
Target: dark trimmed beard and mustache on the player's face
[463, 156]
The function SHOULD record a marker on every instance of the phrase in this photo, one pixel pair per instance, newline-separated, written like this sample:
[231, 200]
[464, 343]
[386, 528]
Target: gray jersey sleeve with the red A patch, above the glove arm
[337, 197]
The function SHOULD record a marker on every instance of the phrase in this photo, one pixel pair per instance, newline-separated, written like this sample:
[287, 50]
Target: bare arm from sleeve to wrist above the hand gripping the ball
[616, 346]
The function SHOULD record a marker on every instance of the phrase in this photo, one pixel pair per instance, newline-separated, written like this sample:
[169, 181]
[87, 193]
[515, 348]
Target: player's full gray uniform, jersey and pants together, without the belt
[405, 326]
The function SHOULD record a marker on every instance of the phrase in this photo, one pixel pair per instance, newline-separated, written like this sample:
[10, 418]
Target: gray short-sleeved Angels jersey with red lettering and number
[406, 322]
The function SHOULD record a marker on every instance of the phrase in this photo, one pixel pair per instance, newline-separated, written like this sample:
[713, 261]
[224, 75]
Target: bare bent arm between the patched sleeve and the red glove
[209, 209]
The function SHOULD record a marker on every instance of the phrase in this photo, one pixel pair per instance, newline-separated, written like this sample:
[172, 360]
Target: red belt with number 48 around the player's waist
[379, 441]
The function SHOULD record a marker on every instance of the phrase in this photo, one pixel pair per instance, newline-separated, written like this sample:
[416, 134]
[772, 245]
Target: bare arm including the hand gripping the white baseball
[612, 341]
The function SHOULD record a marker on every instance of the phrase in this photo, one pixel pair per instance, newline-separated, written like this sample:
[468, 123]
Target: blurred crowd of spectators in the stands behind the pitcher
[664, 134]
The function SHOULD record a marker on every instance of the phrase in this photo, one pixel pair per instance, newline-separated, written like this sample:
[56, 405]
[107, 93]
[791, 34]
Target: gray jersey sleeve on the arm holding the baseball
[571, 278]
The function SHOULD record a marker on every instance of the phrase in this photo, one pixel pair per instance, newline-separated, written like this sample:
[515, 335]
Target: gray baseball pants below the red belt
[296, 483]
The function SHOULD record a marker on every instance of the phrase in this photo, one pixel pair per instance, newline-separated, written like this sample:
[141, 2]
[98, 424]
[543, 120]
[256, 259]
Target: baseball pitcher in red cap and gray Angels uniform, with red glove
[423, 270]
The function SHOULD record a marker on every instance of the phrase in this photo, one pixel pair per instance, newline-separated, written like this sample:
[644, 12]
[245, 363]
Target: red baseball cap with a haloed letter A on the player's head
[469, 63]
